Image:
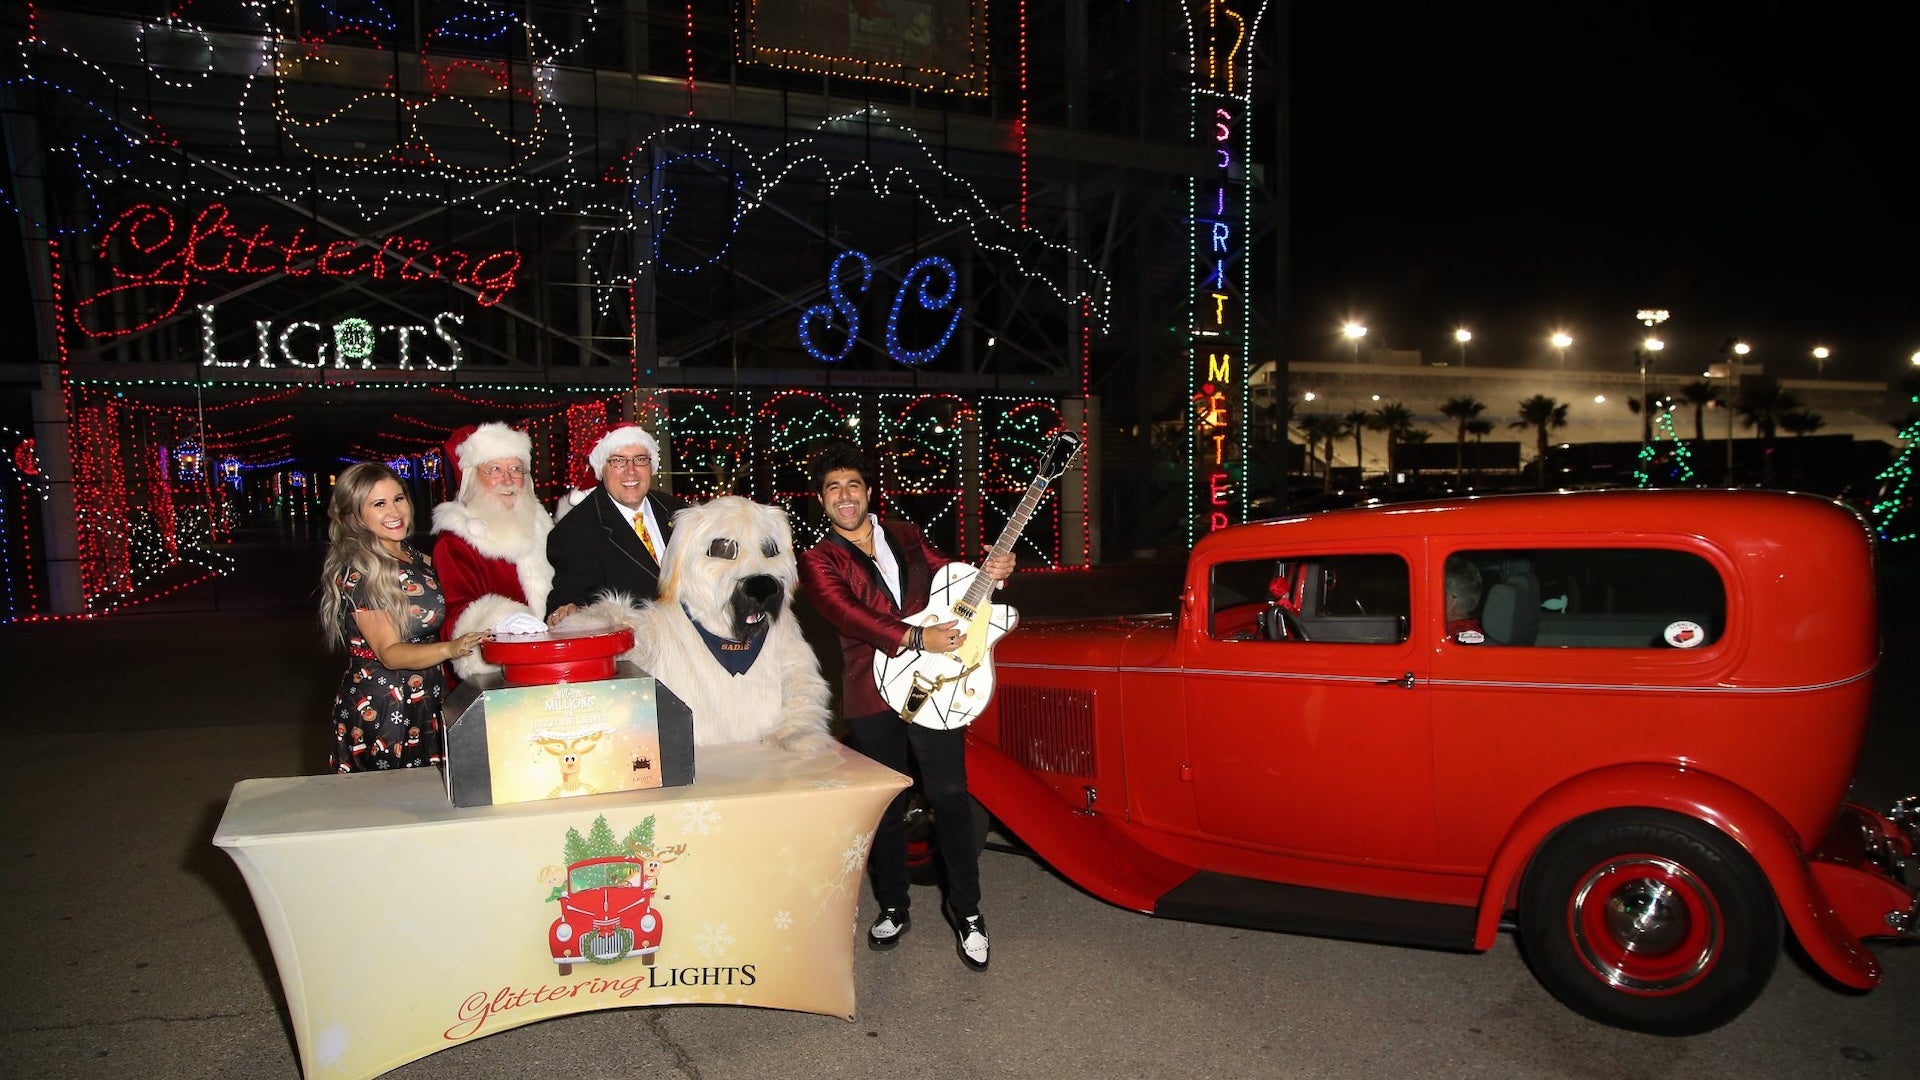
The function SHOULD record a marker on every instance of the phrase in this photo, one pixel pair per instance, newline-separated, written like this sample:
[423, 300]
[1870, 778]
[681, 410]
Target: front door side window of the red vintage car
[1316, 599]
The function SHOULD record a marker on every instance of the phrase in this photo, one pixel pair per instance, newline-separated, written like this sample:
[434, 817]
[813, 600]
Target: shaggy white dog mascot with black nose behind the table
[782, 700]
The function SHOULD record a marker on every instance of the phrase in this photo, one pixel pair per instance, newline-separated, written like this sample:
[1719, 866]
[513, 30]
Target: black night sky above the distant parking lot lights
[1520, 170]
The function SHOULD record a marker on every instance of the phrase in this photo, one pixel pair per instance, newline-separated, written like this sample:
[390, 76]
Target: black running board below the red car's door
[1324, 914]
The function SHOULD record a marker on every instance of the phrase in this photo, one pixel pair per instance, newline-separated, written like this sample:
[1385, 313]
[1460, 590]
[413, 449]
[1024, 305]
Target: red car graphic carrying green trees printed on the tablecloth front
[608, 900]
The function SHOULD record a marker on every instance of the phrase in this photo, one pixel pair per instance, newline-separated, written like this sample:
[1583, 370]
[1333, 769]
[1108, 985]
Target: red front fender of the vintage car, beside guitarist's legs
[1080, 845]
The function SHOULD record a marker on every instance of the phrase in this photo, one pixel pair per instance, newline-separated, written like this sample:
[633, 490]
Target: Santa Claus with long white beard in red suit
[492, 541]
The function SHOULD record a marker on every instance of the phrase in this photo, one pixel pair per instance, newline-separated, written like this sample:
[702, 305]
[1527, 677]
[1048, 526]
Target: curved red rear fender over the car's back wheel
[1706, 798]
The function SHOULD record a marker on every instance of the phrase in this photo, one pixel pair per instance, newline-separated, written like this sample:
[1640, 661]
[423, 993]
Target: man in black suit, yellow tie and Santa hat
[615, 539]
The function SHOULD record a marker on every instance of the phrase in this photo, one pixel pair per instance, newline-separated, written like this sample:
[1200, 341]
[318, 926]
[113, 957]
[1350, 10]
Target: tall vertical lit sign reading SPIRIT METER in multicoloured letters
[1220, 37]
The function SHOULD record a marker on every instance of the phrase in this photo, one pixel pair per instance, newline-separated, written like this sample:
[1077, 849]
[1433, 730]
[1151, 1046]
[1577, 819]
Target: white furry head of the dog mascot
[731, 566]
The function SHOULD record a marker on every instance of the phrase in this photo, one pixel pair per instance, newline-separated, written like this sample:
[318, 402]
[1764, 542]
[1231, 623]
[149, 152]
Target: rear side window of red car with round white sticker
[1602, 599]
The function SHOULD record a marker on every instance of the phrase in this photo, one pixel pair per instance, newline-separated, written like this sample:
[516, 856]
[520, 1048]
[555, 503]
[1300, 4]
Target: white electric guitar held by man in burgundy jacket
[948, 691]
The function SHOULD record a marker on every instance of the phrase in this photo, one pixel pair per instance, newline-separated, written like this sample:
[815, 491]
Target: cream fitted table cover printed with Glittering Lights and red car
[736, 891]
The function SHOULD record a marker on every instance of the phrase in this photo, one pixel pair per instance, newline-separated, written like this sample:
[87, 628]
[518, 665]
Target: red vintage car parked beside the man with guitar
[1629, 743]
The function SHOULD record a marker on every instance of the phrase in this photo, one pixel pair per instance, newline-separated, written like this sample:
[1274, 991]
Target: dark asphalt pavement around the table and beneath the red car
[133, 946]
